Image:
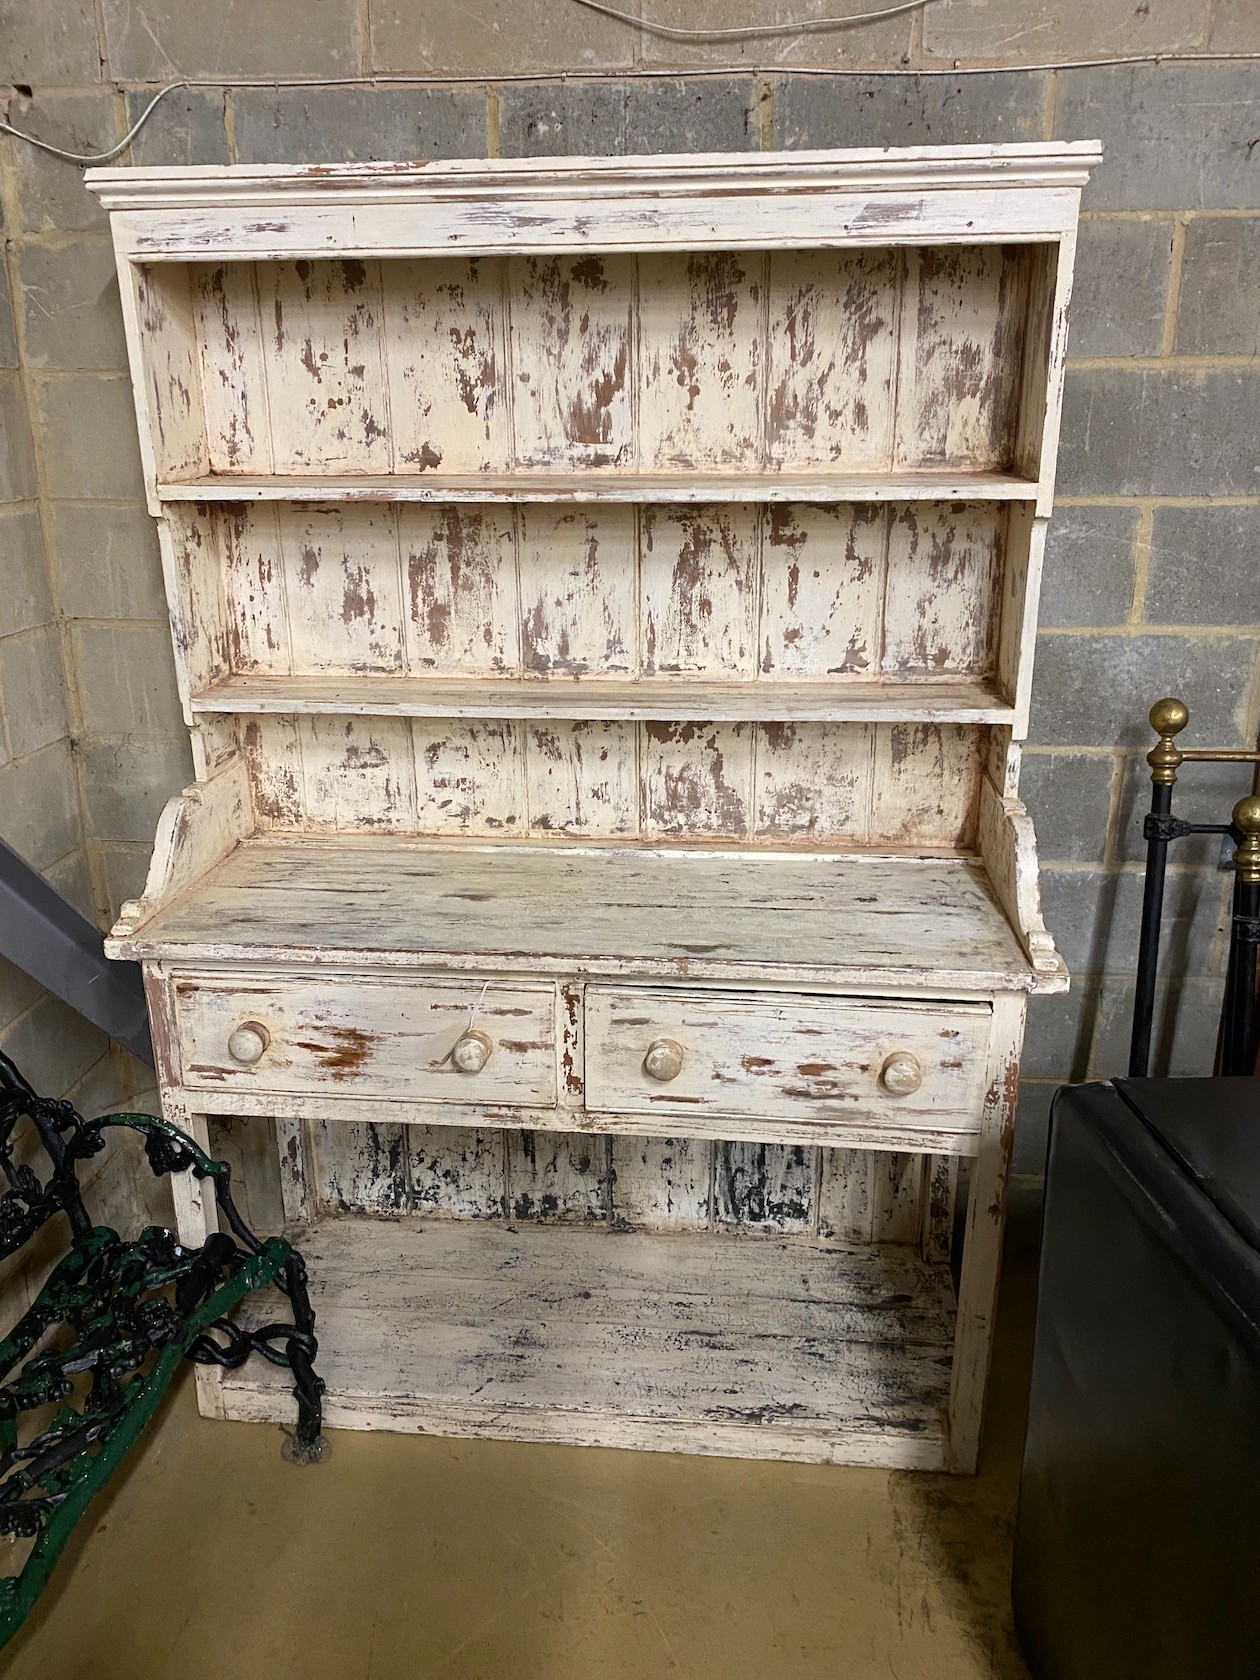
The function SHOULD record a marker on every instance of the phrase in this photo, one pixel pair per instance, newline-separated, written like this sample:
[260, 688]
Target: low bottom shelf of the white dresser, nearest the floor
[621, 1340]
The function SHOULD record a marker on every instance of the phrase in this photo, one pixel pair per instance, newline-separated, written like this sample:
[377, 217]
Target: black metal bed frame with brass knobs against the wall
[1160, 829]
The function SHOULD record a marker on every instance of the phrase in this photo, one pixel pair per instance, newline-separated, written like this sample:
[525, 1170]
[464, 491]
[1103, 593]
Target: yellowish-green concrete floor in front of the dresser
[407, 1557]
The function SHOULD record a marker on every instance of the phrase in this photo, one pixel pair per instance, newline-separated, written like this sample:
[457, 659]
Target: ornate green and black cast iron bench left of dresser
[85, 1368]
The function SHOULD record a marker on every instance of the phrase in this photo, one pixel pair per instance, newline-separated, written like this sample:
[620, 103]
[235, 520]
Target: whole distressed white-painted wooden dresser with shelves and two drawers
[604, 597]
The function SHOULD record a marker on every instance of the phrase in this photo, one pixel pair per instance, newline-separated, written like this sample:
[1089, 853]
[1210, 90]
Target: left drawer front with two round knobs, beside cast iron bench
[330, 1036]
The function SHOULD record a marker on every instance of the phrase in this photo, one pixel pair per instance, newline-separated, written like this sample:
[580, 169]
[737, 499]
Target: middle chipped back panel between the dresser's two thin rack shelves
[717, 592]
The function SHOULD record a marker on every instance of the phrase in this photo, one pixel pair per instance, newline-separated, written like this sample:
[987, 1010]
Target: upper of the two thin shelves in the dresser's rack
[609, 486]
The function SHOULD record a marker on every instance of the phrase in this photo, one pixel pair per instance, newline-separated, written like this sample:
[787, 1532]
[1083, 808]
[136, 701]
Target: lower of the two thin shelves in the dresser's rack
[669, 700]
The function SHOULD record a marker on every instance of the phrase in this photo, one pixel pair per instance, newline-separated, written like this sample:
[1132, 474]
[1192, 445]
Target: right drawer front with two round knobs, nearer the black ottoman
[785, 1059]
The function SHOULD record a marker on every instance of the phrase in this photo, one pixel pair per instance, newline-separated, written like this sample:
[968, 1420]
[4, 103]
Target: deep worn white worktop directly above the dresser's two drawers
[794, 920]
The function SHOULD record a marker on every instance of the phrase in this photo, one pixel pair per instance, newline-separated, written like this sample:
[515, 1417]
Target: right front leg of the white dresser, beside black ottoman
[982, 1247]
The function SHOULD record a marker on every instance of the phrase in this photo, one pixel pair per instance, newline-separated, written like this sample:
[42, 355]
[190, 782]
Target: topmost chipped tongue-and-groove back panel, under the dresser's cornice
[881, 360]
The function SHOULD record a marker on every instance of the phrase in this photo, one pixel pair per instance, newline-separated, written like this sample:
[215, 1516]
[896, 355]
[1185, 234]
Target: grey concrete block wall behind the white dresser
[1153, 579]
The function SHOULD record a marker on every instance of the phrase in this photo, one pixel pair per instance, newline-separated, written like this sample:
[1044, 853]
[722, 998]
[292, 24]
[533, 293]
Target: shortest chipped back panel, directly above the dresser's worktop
[905, 785]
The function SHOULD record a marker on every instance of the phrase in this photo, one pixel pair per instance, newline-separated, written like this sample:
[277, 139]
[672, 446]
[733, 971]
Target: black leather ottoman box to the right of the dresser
[1138, 1538]
